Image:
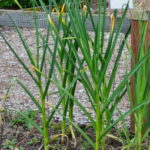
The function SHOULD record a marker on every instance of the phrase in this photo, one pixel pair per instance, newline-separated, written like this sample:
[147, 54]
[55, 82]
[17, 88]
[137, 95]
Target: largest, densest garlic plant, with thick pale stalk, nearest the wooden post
[102, 100]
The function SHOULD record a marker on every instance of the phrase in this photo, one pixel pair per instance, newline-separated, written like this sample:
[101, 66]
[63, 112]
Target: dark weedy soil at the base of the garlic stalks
[17, 134]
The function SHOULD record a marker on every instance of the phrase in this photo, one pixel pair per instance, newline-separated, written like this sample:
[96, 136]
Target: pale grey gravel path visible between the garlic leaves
[9, 68]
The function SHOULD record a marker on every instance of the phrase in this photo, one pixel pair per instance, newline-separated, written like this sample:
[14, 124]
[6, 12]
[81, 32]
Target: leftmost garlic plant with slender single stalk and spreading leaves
[37, 60]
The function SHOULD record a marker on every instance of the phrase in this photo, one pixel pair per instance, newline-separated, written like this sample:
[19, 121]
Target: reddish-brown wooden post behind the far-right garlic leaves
[135, 40]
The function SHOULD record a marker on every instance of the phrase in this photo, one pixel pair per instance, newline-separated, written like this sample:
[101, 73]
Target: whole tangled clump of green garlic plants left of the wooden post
[70, 36]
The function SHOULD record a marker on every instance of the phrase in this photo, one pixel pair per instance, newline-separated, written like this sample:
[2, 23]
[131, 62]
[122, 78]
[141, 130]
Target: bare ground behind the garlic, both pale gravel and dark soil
[20, 135]
